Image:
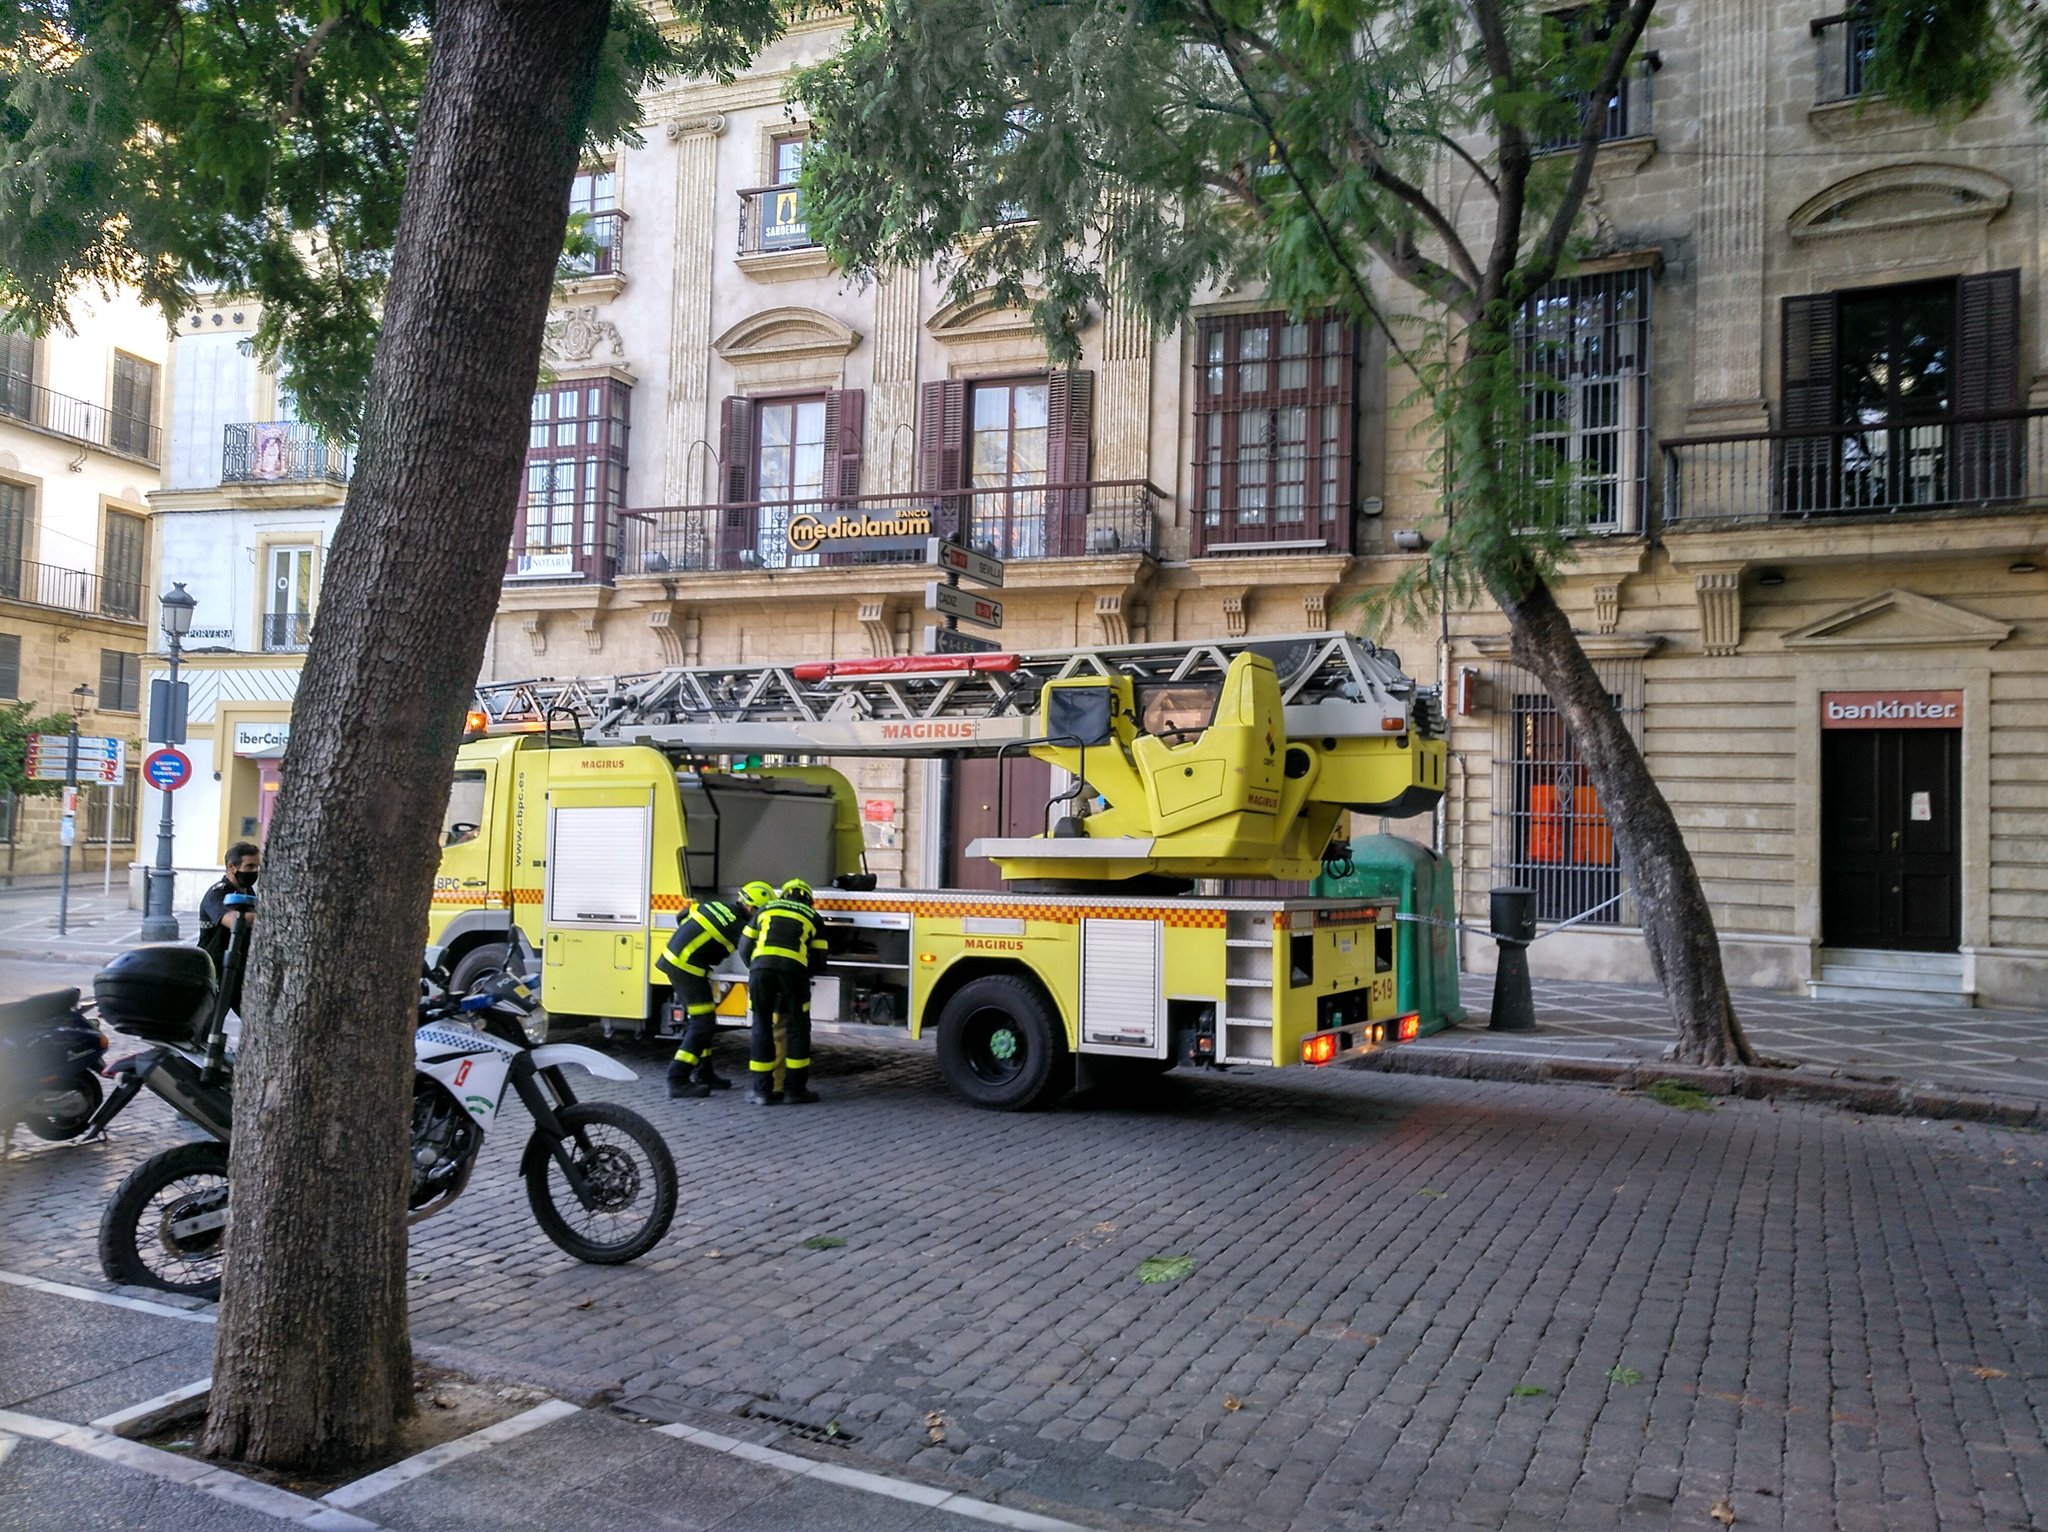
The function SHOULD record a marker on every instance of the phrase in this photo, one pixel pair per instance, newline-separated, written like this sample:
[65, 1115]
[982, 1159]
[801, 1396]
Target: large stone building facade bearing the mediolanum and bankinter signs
[1799, 370]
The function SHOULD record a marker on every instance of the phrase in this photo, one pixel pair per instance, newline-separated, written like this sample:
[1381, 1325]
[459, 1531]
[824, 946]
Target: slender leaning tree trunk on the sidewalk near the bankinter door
[1676, 921]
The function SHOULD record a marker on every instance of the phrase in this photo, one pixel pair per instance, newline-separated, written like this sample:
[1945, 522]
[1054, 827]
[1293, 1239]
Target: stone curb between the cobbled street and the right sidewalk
[1748, 1082]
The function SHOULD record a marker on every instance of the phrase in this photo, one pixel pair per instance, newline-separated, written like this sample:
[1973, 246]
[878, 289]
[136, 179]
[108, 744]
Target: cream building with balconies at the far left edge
[81, 448]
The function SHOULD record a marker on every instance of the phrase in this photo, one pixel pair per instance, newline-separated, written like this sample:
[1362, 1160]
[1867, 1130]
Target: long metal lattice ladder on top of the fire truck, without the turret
[1334, 687]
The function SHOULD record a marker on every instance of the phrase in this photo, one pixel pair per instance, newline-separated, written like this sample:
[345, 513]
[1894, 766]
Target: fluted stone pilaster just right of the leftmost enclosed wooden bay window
[689, 460]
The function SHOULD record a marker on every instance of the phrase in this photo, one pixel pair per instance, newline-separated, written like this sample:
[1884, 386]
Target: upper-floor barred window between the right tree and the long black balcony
[1586, 345]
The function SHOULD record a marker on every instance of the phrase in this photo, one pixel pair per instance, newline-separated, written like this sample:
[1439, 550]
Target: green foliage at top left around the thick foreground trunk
[257, 148]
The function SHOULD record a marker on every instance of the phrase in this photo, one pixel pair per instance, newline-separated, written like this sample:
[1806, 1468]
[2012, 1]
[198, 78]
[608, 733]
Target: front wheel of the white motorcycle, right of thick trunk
[630, 1179]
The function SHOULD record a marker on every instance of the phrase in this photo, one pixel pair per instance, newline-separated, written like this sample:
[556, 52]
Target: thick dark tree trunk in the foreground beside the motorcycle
[312, 1355]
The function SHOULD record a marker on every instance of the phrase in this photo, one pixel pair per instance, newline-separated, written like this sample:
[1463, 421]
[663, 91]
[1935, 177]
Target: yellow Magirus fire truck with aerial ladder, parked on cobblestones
[1181, 763]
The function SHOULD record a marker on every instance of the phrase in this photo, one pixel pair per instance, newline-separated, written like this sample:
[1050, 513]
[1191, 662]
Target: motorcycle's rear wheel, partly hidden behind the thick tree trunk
[167, 1226]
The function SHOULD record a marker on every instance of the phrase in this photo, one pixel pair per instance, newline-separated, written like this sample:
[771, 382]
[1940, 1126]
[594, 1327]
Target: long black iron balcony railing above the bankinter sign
[1895, 468]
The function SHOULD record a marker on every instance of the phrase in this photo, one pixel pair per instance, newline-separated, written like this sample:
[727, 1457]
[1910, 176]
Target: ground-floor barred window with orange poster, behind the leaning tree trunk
[1549, 828]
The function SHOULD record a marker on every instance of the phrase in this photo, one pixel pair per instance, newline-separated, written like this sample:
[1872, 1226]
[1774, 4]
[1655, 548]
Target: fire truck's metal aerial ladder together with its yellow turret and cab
[1185, 761]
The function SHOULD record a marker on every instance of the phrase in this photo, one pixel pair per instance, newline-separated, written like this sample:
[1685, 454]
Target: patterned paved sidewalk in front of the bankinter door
[2002, 1052]
